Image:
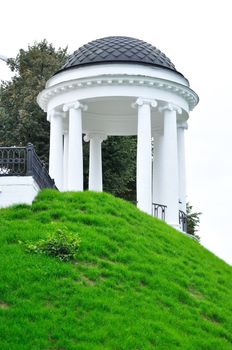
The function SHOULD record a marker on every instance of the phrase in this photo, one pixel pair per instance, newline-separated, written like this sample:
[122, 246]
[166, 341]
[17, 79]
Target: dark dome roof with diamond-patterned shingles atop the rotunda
[115, 49]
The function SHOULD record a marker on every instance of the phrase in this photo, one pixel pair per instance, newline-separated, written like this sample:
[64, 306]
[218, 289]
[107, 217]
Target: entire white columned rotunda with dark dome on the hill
[121, 86]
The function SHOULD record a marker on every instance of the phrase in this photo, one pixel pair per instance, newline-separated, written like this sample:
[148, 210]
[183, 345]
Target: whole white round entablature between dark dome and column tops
[116, 76]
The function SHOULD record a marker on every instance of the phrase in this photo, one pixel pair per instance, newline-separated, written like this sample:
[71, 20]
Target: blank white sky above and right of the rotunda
[196, 36]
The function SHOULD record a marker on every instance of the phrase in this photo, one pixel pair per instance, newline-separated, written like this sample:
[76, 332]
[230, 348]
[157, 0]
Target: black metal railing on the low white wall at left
[23, 161]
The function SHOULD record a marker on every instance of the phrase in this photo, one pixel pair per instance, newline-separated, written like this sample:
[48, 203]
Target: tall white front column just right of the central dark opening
[144, 155]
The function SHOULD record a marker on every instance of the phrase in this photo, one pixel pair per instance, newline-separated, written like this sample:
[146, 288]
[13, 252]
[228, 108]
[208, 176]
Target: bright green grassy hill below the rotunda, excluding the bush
[137, 283]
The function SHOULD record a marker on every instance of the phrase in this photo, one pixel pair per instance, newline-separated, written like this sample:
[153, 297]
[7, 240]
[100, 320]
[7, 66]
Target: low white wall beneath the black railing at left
[17, 190]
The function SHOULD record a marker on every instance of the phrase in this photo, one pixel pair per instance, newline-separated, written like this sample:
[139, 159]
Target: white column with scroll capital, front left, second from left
[75, 149]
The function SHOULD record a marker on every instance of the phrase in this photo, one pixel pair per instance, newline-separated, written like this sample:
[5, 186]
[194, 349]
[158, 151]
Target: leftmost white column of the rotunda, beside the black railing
[56, 148]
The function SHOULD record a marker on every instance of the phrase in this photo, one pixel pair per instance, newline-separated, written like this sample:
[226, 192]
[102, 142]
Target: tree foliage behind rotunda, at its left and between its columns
[22, 120]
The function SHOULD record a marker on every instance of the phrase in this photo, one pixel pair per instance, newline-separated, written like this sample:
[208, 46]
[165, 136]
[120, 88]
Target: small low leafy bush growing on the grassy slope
[62, 244]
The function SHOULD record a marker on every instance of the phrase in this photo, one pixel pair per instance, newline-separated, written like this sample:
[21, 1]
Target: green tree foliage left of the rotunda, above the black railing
[21, 119]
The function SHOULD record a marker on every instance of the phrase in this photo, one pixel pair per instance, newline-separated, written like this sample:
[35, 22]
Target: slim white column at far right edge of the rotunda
[181, 164]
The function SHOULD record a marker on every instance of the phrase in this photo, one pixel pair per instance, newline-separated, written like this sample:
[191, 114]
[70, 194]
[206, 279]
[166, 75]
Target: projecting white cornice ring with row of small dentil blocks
[120, 80]
